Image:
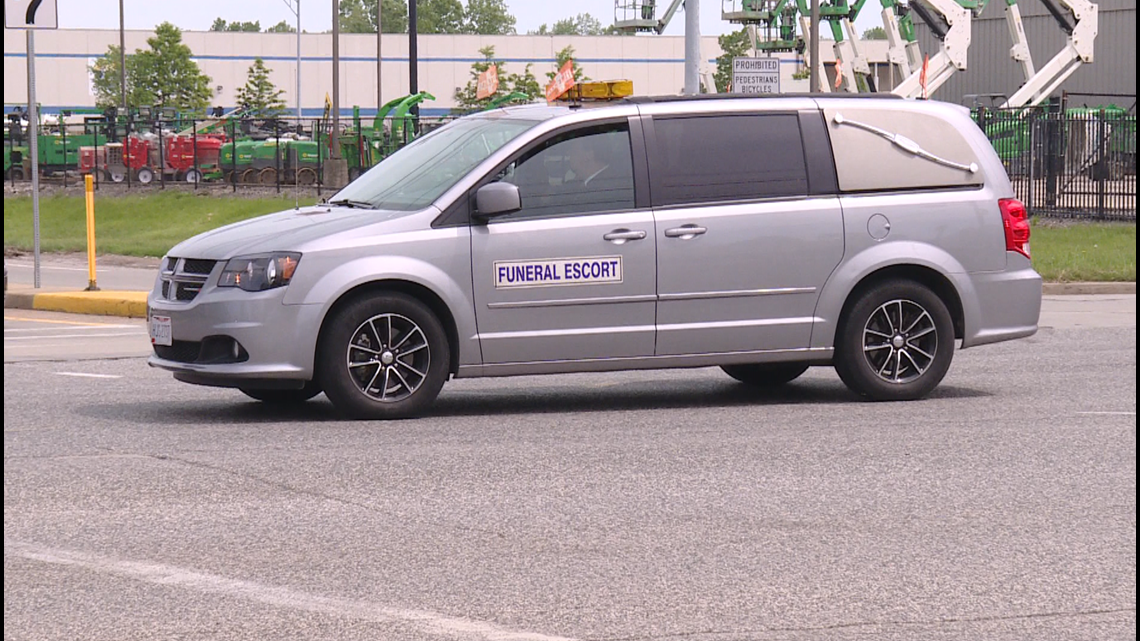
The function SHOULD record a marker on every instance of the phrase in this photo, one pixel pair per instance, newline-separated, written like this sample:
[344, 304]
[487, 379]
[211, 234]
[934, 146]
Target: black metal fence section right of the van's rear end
[1073, 163]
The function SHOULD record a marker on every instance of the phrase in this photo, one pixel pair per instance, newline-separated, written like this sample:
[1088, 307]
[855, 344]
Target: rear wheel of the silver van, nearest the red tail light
[895, 343]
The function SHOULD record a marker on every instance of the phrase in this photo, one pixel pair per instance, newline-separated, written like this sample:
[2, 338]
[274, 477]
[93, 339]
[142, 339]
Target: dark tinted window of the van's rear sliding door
[727, 158]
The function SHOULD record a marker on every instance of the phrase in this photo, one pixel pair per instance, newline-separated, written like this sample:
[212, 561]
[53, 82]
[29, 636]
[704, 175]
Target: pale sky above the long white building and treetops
[316, 15]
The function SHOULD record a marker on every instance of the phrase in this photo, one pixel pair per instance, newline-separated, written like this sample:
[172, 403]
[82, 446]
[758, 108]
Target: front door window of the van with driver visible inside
[580, 173]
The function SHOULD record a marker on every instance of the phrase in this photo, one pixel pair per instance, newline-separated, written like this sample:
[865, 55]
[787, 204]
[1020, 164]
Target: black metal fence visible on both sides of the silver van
[1064, 163]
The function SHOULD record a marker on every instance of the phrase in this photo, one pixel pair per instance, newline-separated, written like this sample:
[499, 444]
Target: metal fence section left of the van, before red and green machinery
[234, 153]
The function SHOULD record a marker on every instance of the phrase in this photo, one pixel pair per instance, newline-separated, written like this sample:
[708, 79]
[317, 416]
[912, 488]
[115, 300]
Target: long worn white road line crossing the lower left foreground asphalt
[424, 621]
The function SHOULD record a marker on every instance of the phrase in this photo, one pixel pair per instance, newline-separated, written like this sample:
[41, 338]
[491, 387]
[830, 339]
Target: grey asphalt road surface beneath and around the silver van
[674, 506]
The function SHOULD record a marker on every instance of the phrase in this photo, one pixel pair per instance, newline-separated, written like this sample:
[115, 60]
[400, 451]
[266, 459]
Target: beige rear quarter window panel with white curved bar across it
[867, 161]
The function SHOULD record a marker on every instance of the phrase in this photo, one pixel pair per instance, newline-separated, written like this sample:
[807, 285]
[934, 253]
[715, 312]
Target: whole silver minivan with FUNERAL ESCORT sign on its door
[760, 236]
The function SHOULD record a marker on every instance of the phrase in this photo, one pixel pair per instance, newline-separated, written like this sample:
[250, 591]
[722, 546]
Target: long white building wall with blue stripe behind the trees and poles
[654, 63]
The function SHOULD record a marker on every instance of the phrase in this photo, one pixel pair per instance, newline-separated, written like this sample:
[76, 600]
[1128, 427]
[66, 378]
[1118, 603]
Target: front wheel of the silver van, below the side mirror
[384, 356]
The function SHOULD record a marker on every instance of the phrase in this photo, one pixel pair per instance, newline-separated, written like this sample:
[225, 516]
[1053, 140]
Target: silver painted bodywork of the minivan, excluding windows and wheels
[763, 282]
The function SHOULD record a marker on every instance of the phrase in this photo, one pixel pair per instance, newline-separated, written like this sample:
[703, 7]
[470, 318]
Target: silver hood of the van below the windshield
[287, 231]
